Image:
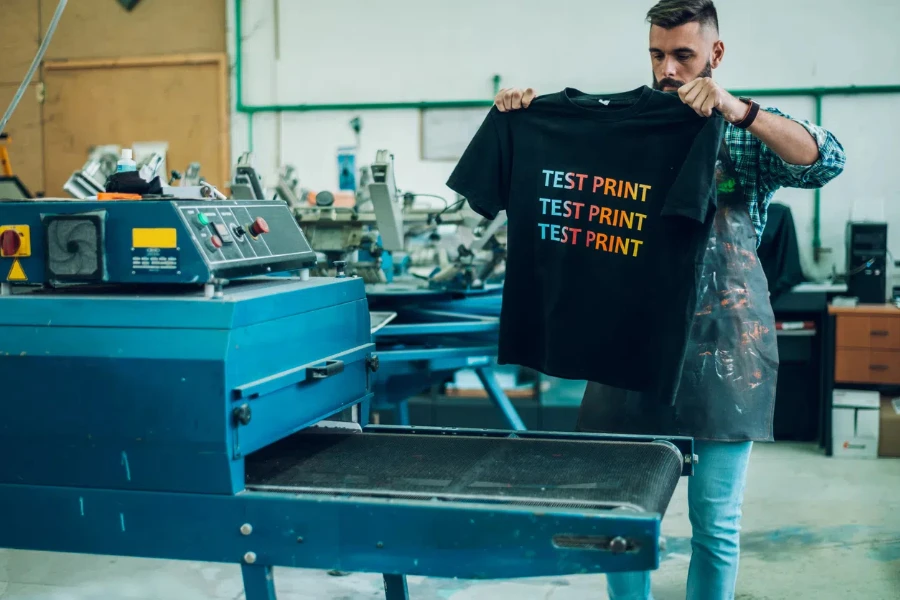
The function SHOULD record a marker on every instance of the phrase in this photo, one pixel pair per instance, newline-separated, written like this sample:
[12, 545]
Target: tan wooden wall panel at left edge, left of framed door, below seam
[25, 143]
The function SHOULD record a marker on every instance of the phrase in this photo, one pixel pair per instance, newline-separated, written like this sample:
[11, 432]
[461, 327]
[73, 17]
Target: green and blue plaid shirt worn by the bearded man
[761, 172]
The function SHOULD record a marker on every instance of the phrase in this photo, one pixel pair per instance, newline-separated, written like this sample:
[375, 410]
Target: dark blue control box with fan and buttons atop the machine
[148, 241]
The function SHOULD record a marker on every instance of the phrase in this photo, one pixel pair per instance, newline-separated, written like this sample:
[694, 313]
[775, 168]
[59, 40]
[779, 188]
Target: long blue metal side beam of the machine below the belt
[465, 540]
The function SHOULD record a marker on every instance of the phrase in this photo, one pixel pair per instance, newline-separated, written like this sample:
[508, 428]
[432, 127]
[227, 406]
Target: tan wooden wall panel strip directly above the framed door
[103, 29]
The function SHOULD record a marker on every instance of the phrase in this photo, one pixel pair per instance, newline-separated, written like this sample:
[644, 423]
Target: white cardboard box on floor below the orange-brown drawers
[854, 424]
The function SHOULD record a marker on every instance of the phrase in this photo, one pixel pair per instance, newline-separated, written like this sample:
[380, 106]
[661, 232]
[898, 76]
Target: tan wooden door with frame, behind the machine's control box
[181, 100]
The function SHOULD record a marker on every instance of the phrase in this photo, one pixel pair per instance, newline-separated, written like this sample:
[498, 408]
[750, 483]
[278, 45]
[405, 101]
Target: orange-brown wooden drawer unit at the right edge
[867, 345]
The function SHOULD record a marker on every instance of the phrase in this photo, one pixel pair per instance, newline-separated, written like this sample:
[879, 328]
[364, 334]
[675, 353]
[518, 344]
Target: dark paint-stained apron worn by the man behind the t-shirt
[727, 389]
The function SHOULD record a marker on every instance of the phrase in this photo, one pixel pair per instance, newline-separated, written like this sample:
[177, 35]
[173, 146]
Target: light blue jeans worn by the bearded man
[715, 495]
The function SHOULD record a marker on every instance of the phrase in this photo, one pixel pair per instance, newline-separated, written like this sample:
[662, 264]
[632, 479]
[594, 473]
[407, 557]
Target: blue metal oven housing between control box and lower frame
[139, 392]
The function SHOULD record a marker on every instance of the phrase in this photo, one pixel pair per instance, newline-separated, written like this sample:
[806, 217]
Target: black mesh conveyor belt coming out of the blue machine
[640, 476]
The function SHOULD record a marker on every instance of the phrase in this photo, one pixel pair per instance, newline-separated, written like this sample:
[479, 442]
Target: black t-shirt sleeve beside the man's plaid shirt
[694, 191]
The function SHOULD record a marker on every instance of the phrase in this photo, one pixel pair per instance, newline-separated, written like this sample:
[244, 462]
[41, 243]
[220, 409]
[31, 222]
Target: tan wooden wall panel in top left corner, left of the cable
[19, 39]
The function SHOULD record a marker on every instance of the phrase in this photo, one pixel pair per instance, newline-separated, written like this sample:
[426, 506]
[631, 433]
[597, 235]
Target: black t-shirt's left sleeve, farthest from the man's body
[483, 172]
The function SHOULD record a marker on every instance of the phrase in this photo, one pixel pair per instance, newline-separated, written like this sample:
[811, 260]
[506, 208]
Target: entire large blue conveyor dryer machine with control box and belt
[175, 385]
